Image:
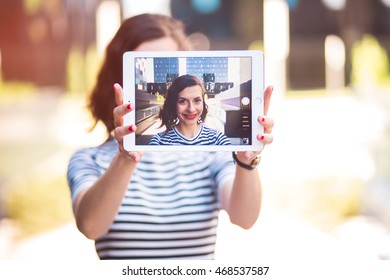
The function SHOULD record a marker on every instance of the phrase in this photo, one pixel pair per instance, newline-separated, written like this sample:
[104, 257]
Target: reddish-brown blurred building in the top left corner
[37, 36]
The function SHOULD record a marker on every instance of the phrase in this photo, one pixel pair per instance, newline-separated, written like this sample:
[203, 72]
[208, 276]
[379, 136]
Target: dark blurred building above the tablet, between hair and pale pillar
[227, 24]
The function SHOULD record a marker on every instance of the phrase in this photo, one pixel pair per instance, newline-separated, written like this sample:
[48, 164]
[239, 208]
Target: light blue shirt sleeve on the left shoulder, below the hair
[82, 172]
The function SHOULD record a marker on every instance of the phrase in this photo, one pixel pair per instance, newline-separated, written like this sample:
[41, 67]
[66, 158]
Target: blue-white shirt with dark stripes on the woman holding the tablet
[170, 209]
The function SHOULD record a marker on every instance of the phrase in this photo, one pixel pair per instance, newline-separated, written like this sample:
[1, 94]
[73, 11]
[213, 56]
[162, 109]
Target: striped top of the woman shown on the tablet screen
[205, 136]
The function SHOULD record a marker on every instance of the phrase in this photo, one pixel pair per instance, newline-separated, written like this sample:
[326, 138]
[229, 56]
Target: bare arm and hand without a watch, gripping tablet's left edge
[96, 206]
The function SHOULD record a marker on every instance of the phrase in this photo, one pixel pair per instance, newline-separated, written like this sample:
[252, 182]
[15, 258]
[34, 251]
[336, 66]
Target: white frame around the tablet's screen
[256, 65]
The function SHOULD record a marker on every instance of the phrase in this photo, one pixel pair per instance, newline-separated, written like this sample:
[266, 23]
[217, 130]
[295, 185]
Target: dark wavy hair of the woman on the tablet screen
[168, 114]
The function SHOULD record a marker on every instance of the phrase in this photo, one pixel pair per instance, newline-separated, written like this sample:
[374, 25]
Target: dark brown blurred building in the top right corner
[310, 23]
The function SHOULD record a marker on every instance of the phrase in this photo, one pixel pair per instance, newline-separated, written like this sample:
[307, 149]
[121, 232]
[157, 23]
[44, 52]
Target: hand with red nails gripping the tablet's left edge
[120, 130]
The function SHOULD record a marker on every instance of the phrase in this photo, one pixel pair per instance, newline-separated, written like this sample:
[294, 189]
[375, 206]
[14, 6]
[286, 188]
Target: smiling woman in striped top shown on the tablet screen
[183, 114]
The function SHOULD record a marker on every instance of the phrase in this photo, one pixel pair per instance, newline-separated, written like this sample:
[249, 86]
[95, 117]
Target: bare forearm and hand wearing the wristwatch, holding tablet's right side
[241, 197]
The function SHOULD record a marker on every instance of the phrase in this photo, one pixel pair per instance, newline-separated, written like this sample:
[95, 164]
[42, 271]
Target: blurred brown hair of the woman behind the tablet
[133, 32]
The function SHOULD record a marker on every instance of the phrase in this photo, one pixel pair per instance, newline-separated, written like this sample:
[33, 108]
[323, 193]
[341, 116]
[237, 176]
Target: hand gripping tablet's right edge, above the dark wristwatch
[267, 122]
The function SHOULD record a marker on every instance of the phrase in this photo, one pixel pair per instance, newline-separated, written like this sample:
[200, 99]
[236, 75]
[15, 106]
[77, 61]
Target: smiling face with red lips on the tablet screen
[190, 105]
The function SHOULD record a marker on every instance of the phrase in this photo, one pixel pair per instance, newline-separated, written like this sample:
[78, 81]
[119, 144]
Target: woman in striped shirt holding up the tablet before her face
[155, 205]
